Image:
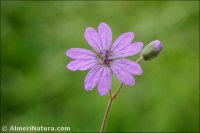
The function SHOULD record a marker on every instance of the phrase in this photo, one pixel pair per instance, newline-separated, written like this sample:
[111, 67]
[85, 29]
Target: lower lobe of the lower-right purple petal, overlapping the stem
[123, 75]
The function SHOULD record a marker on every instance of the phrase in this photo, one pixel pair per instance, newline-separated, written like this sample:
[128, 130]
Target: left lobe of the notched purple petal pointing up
[92, 38]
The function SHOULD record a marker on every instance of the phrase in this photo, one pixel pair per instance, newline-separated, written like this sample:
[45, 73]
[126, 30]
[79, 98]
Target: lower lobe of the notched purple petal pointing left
[82, 64]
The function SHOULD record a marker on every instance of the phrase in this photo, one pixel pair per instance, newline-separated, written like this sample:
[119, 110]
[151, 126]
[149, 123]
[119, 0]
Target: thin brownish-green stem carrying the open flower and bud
[111, 98]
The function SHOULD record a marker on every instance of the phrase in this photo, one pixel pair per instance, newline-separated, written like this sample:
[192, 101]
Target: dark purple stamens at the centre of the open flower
[105, 54]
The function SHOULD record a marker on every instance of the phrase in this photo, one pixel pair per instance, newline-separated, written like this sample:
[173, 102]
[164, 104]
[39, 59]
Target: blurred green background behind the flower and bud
[37, 89]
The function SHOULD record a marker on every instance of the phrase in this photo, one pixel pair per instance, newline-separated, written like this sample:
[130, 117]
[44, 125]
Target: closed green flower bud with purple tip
[151, 50]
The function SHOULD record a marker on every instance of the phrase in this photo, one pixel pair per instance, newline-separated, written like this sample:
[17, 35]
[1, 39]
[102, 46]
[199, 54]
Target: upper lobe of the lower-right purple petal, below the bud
[130, 66]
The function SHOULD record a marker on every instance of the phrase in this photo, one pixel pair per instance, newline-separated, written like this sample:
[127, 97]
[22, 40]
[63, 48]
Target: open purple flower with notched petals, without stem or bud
[107, 58]
